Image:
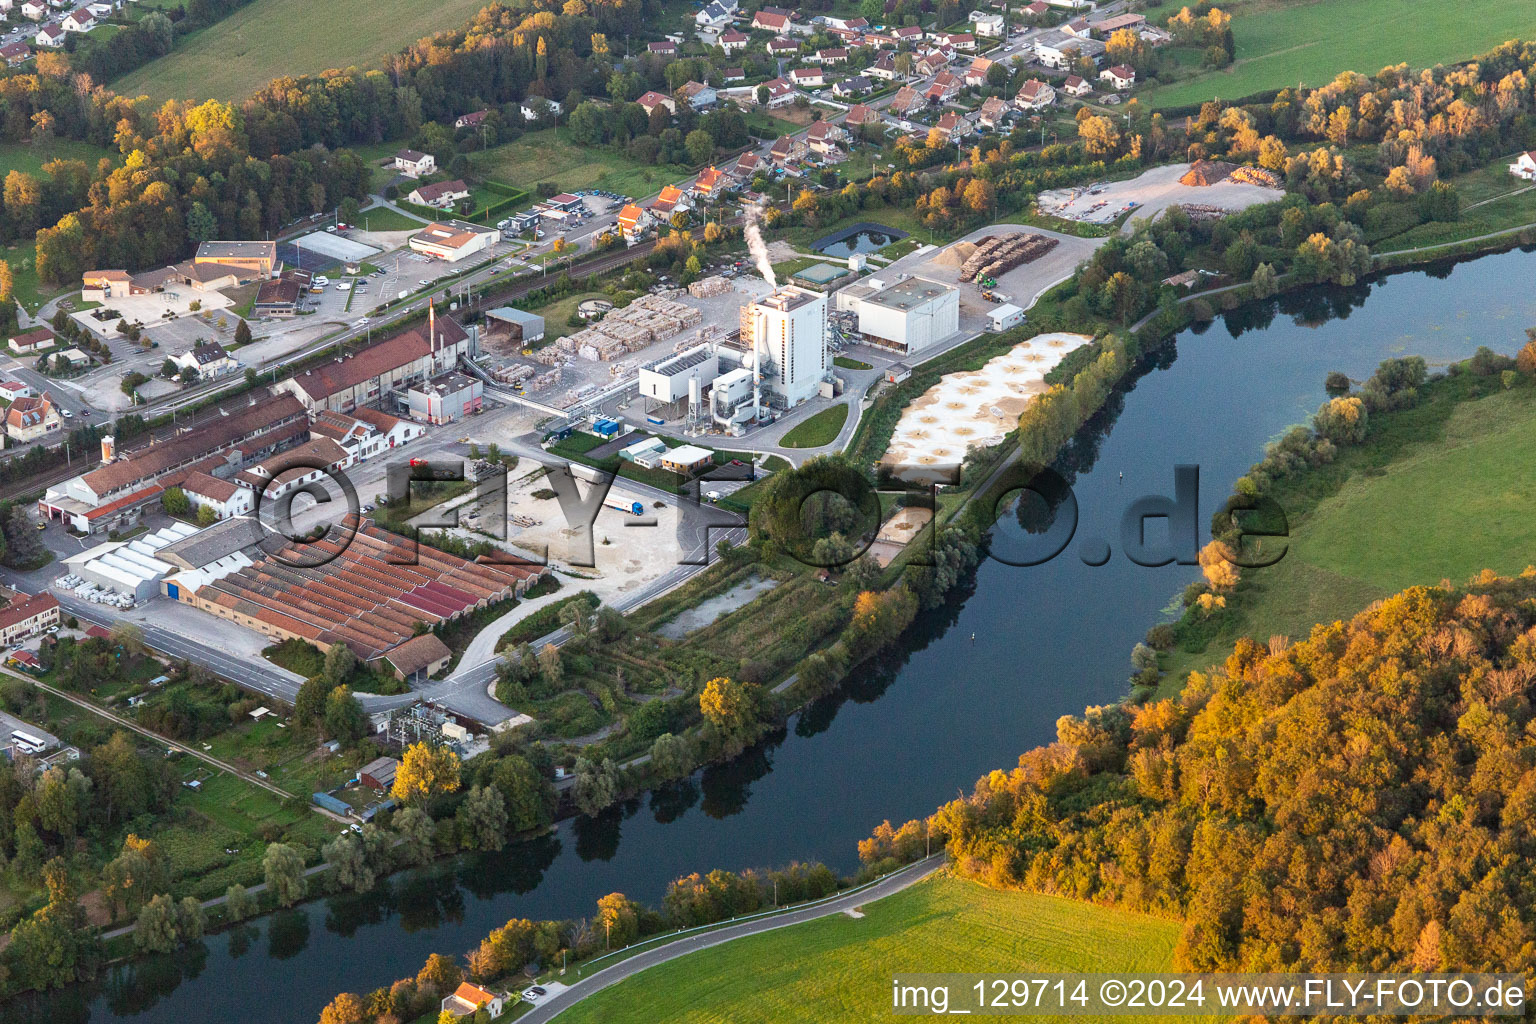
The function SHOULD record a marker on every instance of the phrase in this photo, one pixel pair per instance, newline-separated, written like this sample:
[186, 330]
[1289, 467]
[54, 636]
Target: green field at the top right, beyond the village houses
[1280, 44]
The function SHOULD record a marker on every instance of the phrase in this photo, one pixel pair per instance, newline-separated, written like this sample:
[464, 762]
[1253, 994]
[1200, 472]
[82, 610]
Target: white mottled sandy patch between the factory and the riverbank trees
[973, 409]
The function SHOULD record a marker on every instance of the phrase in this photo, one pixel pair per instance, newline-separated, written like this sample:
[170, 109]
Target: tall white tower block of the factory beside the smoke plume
[787, 335]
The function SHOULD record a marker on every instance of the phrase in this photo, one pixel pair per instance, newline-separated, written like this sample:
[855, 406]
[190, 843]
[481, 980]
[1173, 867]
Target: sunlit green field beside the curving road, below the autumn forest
[839, 968]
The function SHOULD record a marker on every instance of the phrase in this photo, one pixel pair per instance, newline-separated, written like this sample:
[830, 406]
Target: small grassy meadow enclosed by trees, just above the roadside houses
[551, 156]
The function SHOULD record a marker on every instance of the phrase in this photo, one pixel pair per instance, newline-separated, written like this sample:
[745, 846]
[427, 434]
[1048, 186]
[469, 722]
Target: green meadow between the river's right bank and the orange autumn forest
[1377, 533]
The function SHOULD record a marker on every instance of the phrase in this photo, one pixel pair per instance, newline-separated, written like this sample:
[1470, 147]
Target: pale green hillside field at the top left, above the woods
[288, 38]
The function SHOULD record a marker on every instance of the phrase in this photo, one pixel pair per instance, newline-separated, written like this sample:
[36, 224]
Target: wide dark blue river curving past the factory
[976, 684]
